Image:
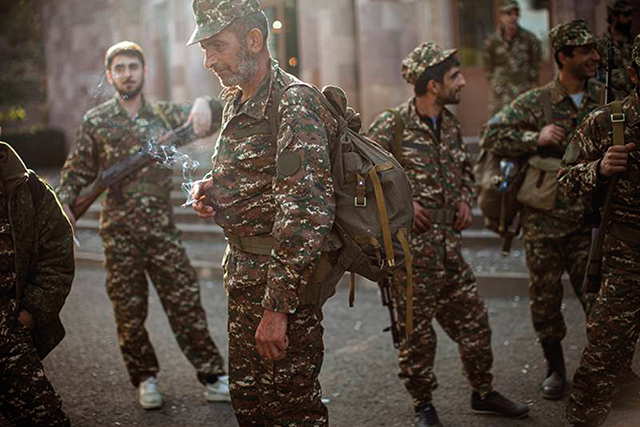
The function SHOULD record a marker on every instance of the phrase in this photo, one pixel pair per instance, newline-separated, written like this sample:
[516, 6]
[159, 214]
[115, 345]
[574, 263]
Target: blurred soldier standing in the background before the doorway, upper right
[511, 58]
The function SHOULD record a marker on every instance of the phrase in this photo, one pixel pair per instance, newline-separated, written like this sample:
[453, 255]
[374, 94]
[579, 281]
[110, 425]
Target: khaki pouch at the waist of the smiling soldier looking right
[540, 186]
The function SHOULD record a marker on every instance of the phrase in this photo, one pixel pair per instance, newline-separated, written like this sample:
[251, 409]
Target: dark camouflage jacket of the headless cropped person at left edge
[43, 251]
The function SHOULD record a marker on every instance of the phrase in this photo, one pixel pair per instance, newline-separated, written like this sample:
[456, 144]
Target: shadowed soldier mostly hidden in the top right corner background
[620, 20]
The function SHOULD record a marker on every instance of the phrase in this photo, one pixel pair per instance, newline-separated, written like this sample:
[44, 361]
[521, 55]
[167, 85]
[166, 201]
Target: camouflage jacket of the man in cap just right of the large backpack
[440, 171]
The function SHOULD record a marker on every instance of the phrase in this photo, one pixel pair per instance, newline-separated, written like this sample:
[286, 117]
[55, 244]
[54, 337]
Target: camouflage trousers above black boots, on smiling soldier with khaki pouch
[547, 260]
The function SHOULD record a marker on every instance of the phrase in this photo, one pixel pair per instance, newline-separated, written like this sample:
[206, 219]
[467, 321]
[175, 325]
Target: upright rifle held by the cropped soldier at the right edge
[592, 277]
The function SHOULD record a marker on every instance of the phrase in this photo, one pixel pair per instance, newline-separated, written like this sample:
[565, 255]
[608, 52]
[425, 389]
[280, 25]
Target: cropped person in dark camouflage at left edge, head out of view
[36, 271]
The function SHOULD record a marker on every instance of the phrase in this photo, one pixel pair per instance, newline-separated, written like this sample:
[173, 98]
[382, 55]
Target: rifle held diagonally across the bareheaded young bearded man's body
[115, 175]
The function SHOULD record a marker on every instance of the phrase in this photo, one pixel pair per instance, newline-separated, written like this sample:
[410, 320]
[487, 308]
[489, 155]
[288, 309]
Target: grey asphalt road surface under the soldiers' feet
[359, 374]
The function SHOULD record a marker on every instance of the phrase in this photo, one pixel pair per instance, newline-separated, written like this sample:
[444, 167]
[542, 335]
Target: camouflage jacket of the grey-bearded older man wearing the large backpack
[251, 197]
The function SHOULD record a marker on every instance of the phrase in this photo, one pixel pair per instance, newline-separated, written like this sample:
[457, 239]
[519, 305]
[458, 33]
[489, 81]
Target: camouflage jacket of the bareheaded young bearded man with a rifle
[108, 135]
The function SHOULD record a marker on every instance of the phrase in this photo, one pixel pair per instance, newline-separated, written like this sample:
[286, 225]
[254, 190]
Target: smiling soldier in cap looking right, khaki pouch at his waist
[556, 240]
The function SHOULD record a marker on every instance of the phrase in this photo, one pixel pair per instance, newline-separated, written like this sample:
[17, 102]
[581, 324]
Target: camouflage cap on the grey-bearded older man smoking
[213, 16]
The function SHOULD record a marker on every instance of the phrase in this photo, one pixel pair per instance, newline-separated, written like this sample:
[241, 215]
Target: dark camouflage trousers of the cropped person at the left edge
[27, 398]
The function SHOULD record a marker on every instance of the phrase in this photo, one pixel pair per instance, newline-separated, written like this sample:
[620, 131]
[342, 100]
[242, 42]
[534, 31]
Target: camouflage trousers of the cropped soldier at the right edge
[612, 332]
